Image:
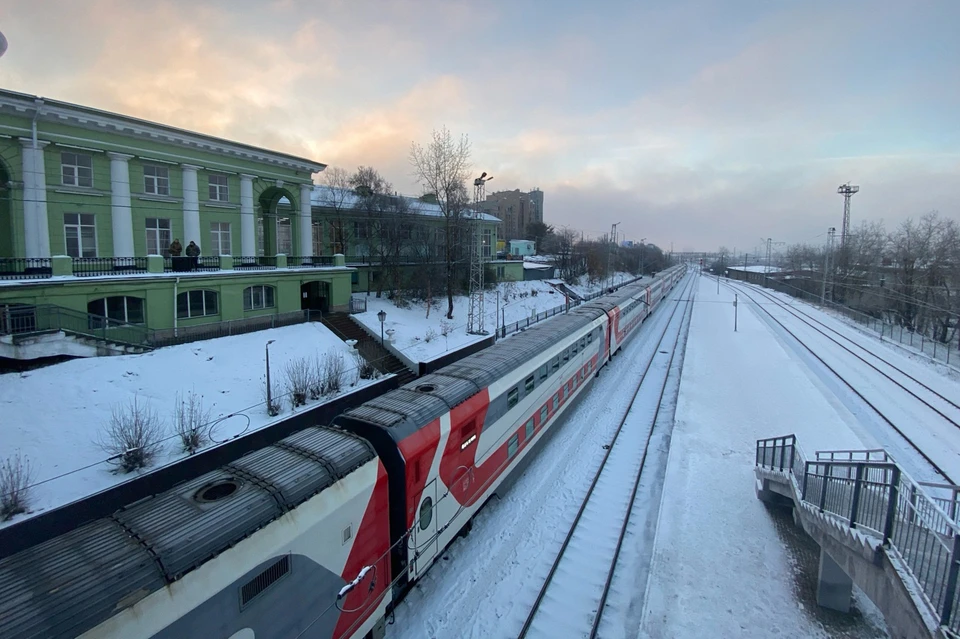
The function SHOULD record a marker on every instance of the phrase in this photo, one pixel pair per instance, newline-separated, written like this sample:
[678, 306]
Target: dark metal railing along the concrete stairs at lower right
[877, 495]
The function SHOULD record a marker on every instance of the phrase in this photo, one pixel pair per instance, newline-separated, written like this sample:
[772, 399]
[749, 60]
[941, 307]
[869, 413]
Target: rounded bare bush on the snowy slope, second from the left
[132, 438]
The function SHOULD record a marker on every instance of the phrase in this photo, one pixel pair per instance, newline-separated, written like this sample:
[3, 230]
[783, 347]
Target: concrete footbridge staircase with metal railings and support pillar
[896, 538]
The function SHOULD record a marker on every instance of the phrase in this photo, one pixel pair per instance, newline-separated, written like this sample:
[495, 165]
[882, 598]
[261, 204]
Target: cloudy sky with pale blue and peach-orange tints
[691, 123]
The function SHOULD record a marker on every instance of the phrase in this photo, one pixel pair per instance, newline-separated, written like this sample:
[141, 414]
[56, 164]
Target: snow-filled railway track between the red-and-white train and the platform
[571, 601]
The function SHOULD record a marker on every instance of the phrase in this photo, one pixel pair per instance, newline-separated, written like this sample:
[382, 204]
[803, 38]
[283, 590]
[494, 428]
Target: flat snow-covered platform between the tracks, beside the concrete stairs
[719, 562]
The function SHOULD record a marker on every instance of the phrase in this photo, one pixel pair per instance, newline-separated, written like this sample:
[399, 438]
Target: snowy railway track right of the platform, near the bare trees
[943, 408]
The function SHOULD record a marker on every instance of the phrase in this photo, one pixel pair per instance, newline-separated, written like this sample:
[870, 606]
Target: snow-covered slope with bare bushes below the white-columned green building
[53, 415]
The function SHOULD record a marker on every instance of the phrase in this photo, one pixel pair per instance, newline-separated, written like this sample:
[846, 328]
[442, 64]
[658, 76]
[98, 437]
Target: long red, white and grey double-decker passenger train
[319, 534]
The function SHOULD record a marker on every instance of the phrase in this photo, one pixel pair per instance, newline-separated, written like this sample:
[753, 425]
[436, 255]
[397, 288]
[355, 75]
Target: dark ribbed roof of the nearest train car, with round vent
[69, 584]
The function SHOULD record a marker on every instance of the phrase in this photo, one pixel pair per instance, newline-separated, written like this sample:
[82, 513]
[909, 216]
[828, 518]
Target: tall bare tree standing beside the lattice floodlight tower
[442, 167]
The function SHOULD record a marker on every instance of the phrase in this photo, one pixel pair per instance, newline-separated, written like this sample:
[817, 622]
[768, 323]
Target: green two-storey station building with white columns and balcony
[91, 203]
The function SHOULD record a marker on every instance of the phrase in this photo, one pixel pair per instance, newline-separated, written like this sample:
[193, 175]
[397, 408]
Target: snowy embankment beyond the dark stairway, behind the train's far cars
[420, 338]
